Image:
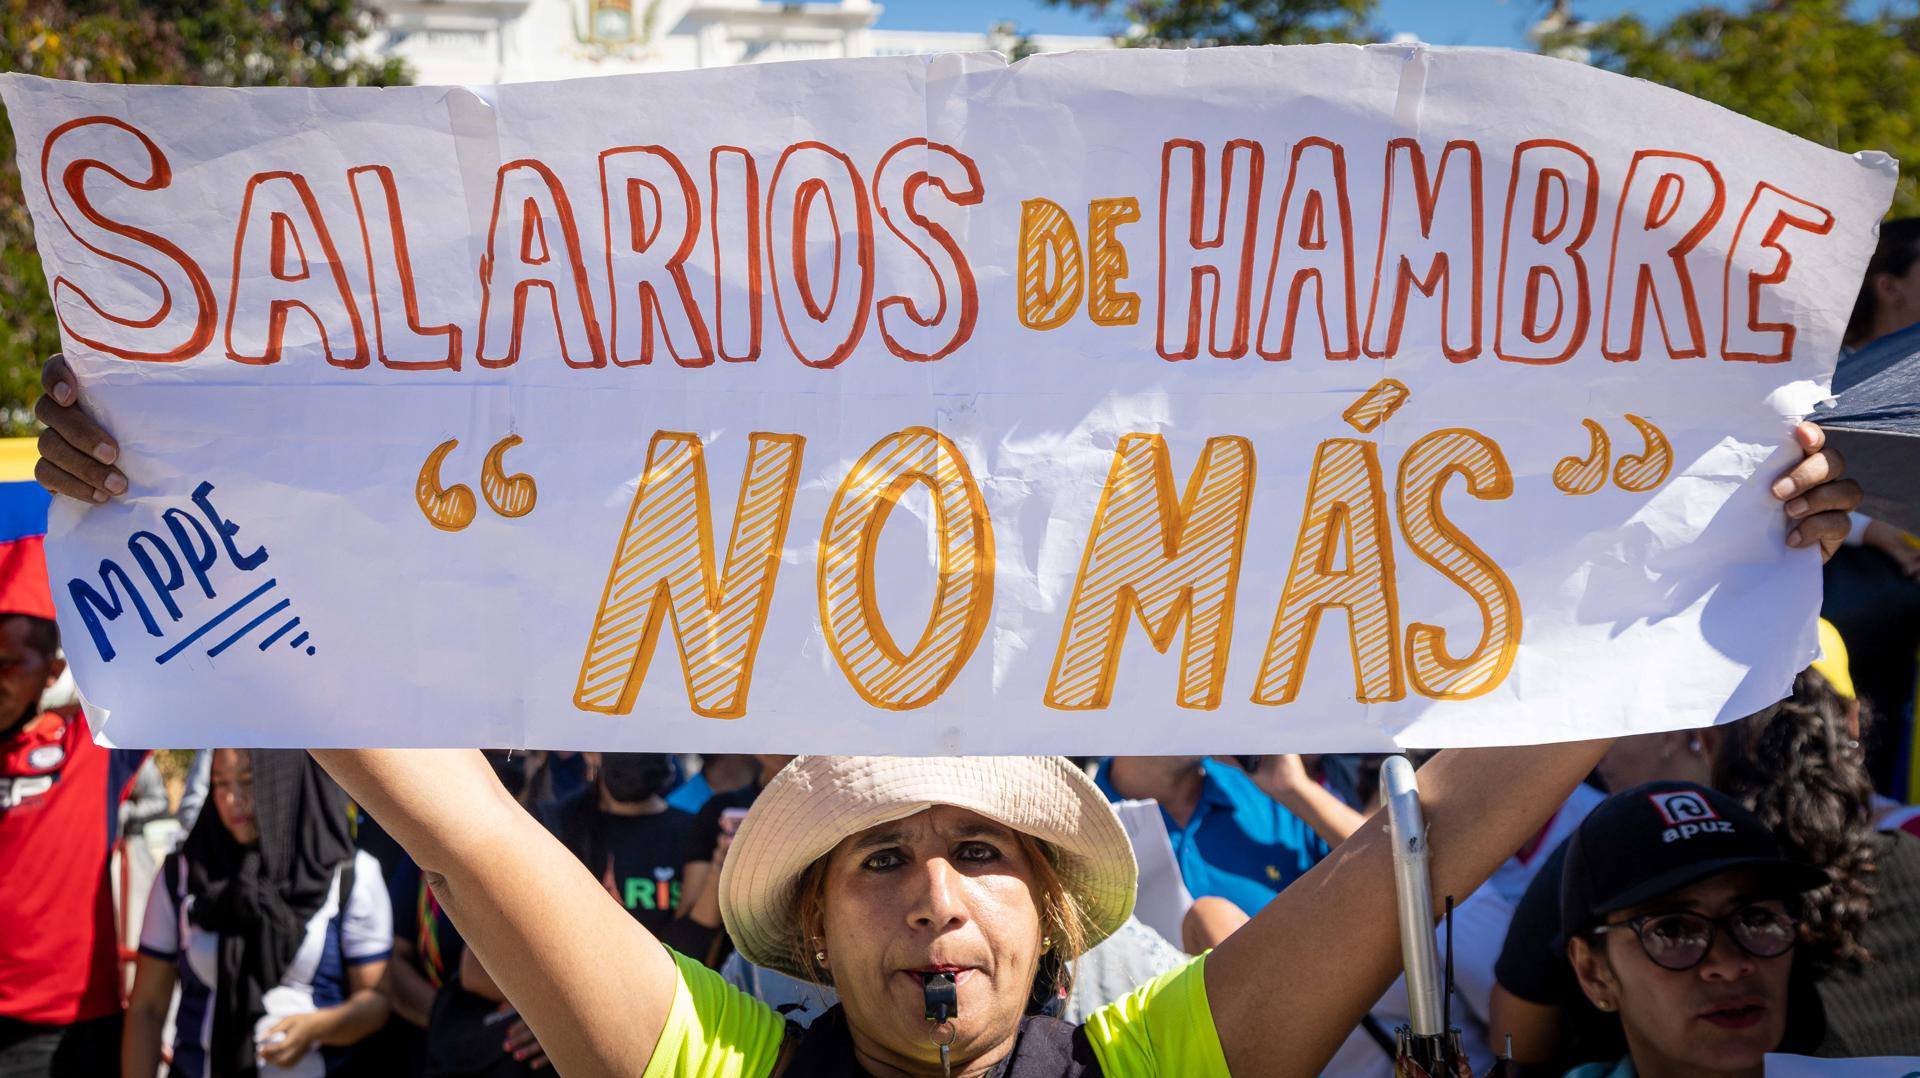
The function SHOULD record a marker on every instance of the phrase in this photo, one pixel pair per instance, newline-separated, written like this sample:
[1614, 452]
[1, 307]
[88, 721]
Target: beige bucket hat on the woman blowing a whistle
[819, 800]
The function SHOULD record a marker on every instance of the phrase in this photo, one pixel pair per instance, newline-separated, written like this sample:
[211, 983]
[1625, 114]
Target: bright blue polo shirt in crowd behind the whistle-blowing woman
[1239, 845]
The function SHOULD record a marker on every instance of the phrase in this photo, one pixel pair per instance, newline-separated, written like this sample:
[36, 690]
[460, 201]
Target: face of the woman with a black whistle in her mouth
[942, 891]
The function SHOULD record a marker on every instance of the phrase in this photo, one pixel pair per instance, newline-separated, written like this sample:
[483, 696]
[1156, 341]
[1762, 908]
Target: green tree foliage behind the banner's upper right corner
[1823, 70]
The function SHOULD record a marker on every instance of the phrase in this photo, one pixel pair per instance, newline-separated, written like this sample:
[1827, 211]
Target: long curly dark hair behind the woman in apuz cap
[1802, 772]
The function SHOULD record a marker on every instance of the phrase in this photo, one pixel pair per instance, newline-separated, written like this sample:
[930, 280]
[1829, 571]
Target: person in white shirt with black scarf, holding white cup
[276, 931]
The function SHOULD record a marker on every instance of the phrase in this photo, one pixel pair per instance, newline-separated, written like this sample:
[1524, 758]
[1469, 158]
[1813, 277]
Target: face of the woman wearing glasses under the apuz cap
[1719, 1017]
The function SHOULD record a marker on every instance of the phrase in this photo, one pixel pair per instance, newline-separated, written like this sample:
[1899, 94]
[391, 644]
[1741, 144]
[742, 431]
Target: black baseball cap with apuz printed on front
[1662, 837]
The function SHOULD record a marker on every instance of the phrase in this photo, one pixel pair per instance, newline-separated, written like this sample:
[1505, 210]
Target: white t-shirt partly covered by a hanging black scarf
[316, 979]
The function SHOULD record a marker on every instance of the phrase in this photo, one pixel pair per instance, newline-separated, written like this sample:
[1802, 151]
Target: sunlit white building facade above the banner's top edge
[521, 41]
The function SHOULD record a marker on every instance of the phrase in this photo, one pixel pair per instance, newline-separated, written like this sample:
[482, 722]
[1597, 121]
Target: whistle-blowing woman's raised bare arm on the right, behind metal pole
[1322, 954]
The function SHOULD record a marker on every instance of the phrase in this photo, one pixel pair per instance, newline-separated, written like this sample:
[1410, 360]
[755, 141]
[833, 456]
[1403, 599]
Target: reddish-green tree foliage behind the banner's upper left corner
[229, 43]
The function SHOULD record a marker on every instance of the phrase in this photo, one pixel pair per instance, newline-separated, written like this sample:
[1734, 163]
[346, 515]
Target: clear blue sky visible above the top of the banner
[1439, 22]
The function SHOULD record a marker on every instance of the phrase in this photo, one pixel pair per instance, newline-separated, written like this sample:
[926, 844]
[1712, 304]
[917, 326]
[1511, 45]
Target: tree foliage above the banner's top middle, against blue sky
[1234, 22]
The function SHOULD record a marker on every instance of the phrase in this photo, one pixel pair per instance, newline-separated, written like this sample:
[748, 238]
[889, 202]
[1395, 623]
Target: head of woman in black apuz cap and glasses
[1681, 918]
